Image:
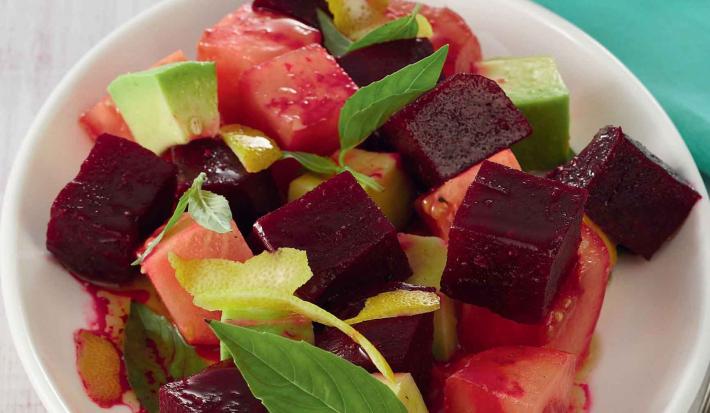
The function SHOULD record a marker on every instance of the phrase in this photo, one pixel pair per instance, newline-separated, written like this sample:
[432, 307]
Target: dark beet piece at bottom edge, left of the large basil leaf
[219, 388]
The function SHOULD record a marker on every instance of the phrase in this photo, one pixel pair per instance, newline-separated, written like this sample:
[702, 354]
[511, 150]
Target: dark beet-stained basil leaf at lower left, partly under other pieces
[154, 354]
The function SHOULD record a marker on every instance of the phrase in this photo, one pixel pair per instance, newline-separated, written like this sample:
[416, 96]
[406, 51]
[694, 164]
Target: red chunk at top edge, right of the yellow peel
[449, 28]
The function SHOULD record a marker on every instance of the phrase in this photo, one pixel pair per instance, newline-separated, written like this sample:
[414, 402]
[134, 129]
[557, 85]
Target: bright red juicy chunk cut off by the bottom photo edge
[512, 380]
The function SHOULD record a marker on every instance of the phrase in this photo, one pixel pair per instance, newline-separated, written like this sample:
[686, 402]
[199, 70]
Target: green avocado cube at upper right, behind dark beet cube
[536, 88]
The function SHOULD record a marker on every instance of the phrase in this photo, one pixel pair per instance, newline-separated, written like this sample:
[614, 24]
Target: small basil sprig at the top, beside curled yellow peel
[338, 44]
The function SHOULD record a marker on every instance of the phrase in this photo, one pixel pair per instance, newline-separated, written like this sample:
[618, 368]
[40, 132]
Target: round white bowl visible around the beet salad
[654, 331]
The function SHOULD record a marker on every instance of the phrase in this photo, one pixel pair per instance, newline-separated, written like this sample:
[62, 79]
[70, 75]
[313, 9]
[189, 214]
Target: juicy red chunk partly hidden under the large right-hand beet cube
[570, 322]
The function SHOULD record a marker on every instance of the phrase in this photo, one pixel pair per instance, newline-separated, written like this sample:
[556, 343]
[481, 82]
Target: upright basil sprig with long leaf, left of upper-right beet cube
[370, 107]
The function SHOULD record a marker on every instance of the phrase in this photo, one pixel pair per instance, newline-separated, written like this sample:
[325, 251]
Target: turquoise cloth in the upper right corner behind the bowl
[666, 43]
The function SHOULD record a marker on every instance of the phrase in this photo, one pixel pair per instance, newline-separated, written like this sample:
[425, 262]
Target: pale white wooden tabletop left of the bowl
[40, 40]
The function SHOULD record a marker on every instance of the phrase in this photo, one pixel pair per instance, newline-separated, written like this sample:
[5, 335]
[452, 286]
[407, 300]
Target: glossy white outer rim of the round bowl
[687, 389]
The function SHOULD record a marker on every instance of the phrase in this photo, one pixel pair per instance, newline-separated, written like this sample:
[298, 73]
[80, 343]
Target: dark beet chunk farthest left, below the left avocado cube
[122, 193]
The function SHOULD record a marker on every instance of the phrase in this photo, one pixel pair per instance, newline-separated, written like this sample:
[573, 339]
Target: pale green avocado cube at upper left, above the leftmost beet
[168, 105]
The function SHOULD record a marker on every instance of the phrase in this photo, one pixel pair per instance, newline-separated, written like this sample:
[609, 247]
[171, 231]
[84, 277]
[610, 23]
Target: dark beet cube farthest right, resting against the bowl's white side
[633, 196]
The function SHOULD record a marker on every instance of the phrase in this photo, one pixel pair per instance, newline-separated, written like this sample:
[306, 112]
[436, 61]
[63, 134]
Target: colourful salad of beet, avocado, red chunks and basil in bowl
[341, 206]
